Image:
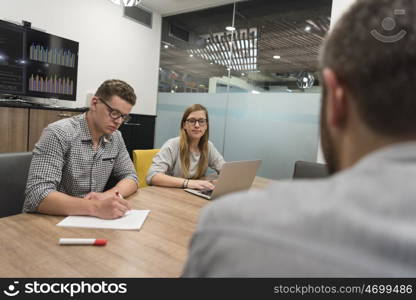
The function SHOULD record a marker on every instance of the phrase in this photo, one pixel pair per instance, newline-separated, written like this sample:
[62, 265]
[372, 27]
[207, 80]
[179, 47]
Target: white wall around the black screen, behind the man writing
[110, 45]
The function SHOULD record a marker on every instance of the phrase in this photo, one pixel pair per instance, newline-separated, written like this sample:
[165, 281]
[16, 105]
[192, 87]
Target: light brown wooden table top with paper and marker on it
[29, 242]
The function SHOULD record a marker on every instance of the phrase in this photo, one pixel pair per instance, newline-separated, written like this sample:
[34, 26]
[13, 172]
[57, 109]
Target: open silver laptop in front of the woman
[234, 176]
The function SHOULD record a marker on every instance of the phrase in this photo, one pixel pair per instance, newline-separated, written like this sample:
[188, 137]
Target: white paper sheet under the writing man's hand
[132, 220]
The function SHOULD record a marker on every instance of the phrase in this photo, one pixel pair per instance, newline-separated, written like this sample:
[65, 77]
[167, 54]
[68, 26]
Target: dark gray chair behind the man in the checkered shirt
[14, 169]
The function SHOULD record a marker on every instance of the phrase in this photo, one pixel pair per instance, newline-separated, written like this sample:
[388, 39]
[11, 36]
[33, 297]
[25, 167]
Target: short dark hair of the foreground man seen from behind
[378, 68]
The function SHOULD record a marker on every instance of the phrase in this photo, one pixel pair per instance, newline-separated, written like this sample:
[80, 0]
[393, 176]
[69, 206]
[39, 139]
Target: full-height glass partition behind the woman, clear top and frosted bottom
[253, 64]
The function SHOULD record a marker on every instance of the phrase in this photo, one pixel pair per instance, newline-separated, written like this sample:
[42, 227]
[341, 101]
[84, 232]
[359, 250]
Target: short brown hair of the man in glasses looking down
[115, 87]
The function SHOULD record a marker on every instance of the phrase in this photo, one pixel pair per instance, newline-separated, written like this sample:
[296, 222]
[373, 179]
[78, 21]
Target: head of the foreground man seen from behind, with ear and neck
[368, 75]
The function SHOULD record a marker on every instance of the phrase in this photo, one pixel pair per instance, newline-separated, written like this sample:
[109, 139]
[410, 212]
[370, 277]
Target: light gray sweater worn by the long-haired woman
[168, 162]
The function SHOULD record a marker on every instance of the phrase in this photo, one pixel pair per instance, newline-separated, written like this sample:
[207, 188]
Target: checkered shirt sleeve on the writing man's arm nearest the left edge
[45, 170]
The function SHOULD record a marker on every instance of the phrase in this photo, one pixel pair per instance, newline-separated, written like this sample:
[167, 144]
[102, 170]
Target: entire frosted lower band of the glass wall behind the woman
[277, 128]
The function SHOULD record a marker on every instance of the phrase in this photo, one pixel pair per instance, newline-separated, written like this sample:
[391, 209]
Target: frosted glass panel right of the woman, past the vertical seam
[277, 128]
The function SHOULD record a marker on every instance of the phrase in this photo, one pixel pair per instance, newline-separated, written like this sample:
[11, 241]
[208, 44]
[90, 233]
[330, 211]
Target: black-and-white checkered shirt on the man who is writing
[65, 161]
